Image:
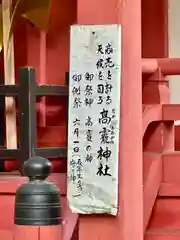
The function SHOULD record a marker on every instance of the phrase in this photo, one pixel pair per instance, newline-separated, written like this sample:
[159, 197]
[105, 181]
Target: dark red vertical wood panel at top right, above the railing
[154, 28]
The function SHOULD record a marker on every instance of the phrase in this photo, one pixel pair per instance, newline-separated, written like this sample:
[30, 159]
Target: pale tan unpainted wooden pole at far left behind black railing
[9, 74]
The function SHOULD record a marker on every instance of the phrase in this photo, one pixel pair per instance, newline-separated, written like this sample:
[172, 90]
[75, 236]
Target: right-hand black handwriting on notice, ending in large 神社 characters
[104, 67]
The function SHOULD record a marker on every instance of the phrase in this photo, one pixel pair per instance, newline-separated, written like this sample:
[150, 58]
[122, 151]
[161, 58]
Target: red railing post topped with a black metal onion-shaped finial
[37, 204]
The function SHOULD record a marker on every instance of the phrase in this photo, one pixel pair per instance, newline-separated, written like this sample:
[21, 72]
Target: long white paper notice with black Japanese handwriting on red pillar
[94, 113]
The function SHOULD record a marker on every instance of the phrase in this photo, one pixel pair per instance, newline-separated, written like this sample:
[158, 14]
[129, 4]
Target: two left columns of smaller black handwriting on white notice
[81, 97]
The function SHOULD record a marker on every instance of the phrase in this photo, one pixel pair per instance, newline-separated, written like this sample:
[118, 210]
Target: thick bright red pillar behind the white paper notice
[128, 224]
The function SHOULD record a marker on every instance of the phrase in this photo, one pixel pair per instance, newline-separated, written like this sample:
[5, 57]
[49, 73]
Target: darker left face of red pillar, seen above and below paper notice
[98, 227]
